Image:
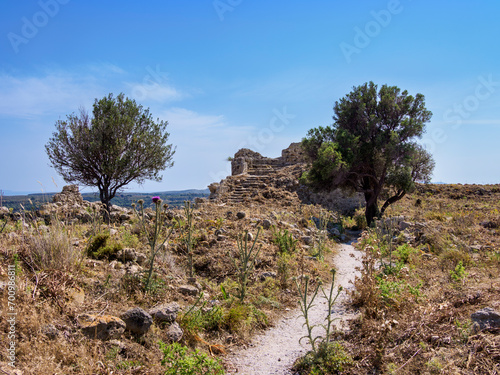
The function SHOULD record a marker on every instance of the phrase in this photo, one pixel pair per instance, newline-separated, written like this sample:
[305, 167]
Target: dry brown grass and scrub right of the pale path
[416, 314]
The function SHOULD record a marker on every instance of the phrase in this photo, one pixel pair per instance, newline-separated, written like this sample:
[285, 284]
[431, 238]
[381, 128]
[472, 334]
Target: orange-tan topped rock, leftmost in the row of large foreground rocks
[102, 327]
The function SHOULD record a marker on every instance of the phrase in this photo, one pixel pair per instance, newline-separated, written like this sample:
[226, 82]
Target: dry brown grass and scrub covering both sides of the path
[415, 297]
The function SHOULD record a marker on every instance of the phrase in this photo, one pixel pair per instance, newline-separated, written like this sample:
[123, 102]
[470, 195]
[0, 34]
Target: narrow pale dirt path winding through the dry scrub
[275, 351]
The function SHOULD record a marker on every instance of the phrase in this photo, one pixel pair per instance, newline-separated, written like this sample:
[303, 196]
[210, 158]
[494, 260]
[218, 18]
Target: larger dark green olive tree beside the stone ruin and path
[371, 146]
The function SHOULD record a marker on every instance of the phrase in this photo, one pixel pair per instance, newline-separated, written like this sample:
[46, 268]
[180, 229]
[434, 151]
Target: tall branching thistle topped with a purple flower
[153, 236]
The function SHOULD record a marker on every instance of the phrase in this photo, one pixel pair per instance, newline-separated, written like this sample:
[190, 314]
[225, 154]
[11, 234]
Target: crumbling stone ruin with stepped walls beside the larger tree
[258, 178]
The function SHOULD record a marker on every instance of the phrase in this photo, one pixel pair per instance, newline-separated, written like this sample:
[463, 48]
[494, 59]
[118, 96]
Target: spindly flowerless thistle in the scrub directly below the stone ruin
[245, 262]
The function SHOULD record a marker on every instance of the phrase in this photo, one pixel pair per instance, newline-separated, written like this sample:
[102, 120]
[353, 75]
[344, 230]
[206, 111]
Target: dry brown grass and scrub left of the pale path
[57, 281]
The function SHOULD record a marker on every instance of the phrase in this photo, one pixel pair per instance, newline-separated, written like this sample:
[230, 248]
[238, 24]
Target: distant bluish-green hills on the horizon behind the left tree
[172, 198]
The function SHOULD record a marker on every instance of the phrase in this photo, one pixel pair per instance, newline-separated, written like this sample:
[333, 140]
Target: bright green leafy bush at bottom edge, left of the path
[179, 361]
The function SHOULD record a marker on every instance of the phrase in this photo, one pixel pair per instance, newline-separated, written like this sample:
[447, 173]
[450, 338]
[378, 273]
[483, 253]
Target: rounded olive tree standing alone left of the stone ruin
[118, 144]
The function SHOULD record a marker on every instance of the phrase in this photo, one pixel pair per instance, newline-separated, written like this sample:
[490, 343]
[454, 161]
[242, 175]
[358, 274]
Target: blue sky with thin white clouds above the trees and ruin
[259, 74]
